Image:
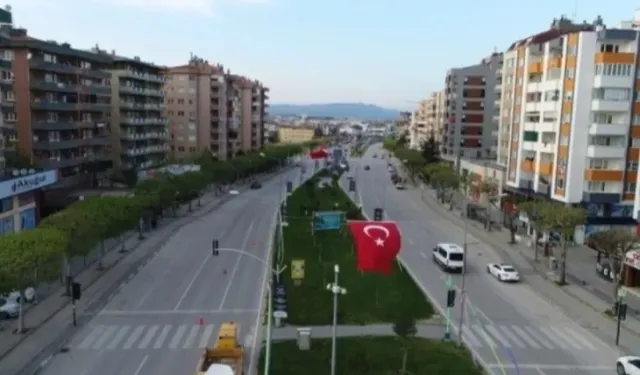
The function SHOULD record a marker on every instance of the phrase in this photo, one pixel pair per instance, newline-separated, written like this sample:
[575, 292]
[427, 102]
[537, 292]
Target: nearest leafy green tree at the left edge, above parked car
[29, 259]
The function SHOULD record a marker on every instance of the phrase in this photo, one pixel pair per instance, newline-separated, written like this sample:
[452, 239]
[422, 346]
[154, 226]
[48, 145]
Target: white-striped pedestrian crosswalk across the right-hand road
[526, 337]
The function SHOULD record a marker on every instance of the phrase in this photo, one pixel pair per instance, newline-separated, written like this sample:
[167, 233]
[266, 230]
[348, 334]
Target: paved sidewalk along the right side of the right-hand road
[572, 298]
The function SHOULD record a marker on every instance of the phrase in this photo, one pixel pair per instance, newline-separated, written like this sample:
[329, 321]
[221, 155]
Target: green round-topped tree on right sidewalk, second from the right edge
[564, 219]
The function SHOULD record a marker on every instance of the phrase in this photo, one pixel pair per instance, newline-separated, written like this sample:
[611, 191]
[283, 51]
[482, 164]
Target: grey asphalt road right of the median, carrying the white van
[508, 326]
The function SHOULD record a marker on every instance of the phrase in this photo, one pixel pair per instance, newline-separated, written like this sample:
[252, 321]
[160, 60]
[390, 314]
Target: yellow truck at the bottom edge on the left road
[225, 358]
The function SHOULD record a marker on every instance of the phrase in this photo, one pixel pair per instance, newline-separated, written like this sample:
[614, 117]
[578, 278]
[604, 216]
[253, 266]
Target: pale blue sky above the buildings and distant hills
[310, 51]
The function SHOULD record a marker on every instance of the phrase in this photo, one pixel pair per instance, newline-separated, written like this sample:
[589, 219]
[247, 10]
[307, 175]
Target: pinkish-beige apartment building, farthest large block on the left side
[210, 109]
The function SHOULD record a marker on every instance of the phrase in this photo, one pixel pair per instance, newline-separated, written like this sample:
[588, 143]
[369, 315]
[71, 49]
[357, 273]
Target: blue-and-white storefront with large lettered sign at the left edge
[19, 206]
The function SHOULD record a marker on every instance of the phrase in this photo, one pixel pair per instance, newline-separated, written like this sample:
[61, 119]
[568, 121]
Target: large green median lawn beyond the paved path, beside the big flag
[370, 297]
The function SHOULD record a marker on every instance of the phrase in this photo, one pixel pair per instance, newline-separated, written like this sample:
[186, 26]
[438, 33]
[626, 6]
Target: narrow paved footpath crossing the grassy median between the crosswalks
[425, 330]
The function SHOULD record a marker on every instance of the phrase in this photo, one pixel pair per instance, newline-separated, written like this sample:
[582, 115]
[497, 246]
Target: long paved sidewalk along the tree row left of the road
[49, 321]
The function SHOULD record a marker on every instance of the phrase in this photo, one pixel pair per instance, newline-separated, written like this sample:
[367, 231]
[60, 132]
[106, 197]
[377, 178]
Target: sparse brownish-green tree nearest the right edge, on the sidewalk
[614, 244]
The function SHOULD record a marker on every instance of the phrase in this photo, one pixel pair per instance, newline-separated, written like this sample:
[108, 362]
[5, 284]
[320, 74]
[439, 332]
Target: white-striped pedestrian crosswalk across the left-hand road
[140, 337]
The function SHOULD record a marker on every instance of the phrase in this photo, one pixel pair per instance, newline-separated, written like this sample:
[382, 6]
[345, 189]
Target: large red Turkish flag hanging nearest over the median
[377, 244]
